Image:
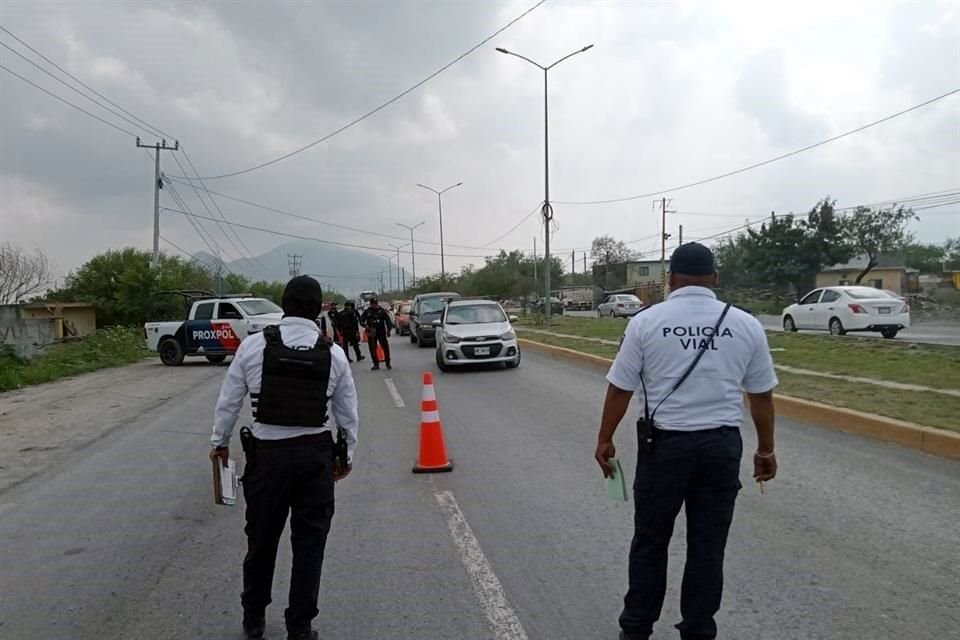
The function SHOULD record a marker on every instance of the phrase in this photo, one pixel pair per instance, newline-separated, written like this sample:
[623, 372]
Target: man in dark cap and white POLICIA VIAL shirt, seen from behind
[692, 455]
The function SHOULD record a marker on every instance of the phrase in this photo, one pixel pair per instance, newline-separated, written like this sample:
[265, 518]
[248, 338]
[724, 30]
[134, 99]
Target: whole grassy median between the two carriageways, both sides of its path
[930, 365]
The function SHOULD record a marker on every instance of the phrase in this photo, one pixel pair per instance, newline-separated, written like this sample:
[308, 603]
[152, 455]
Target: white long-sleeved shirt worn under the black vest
[244, 376]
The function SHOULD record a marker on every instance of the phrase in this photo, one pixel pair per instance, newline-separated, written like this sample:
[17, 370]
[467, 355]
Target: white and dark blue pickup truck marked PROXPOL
[214, 328]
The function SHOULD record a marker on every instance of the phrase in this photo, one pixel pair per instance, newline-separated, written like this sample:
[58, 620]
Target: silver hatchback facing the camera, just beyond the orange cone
[475, 331]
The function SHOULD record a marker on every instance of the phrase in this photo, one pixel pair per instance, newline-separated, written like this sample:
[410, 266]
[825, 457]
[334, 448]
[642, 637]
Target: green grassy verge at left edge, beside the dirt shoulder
[106, 348]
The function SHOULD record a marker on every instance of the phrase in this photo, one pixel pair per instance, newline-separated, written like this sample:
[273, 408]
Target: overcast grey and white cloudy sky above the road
[672, 92]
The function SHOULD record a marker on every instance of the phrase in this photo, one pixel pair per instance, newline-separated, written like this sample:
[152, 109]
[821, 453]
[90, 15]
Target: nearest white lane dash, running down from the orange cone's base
[503, 620]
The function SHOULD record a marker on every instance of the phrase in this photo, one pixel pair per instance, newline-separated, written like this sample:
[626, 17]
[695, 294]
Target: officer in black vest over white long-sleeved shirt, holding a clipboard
[290, 372]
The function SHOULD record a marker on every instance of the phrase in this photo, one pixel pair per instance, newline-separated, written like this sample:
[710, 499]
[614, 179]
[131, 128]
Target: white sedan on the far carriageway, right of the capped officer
[840, 310]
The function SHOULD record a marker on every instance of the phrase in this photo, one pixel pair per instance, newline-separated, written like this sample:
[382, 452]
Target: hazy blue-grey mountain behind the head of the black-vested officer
[346, 270]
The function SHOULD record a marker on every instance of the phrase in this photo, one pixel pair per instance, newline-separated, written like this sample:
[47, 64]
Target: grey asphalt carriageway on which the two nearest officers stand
[855, 539]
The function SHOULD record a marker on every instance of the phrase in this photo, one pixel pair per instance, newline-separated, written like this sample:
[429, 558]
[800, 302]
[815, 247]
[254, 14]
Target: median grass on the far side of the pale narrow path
[936, 366]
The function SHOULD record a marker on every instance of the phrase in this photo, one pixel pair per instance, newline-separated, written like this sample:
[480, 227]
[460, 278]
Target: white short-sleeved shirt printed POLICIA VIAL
[663, 340]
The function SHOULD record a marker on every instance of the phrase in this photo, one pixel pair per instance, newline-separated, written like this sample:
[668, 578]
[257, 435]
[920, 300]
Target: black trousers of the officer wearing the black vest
[292, 476]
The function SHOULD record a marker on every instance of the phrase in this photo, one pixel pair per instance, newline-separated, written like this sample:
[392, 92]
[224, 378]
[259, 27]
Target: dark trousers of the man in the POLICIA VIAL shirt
[700, 470]
